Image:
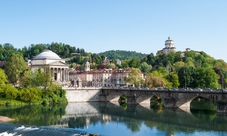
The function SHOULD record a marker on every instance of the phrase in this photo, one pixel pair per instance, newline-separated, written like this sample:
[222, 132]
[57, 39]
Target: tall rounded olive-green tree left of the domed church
[15, 67]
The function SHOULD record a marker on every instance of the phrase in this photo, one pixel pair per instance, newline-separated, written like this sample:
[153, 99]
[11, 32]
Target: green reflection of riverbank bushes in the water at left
[35, 115]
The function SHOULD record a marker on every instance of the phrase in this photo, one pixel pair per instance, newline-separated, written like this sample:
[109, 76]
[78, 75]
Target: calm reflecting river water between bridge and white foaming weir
[96, 117]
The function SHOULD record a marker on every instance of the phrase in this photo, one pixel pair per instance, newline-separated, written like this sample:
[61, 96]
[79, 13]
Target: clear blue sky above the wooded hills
[131, 25]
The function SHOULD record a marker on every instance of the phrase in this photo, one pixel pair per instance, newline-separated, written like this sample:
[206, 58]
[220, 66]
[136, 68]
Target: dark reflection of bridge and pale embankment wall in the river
[168, 118]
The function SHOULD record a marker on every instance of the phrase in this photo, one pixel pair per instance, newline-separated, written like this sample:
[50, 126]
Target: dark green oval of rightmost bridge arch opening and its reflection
[203, 109]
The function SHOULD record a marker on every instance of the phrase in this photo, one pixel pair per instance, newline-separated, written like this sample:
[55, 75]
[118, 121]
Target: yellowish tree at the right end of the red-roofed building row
[135, 77]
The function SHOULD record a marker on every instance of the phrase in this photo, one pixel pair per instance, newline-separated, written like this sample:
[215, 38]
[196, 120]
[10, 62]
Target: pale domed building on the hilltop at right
[169, 47]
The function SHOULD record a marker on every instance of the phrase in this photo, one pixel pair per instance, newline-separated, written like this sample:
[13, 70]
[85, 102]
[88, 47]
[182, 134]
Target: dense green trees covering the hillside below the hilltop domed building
[187, 69]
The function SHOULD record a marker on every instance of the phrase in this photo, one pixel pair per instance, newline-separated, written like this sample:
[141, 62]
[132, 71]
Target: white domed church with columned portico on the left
[57, 65]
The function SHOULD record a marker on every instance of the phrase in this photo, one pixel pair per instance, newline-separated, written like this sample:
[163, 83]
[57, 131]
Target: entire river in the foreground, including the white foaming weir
[108, 119]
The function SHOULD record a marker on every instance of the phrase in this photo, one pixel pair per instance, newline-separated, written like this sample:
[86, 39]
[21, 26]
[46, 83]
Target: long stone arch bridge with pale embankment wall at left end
[180, 98]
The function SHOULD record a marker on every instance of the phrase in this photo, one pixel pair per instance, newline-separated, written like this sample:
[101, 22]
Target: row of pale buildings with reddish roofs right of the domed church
[98, 78]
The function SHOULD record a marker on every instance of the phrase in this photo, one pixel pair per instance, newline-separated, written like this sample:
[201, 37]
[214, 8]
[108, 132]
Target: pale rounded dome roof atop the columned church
[47, 54]
